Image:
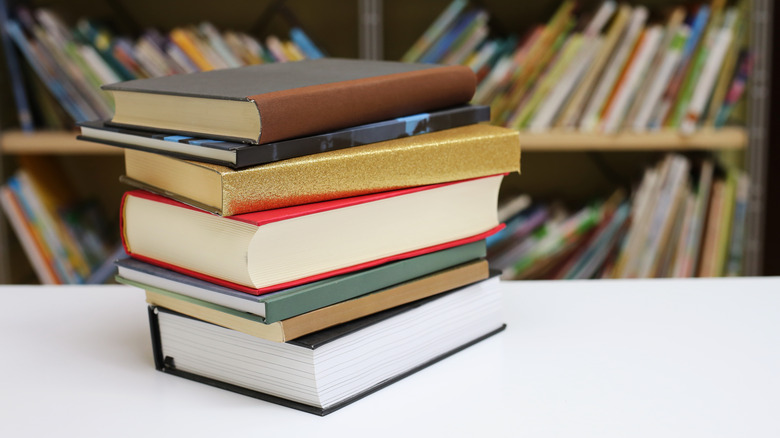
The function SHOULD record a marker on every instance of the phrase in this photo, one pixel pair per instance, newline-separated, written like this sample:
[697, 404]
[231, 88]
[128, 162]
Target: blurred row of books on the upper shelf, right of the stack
[616, 68]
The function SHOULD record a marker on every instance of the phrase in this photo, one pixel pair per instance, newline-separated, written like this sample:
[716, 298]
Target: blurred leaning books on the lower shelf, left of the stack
[67, 240]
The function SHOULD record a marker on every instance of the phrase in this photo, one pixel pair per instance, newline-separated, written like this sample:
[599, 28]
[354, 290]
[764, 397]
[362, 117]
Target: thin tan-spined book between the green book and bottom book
[322, 317]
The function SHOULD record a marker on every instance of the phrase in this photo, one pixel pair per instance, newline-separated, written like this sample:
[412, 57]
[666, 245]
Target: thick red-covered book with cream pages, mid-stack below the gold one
[276, 249]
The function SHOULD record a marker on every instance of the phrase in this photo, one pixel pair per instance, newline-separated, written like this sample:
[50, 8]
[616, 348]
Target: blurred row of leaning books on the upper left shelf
[73, 62]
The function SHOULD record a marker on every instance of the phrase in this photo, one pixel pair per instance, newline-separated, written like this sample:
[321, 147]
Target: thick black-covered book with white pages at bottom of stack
[328, 369]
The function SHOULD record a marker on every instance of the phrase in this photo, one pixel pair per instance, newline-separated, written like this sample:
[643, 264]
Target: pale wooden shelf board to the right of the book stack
[728, 138]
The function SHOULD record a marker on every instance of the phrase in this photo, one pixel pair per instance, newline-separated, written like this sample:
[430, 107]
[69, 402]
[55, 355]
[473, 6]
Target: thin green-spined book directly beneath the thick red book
[286, 303]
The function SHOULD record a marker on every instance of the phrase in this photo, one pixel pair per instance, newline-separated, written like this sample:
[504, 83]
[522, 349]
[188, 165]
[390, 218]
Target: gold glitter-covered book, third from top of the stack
[450, 155]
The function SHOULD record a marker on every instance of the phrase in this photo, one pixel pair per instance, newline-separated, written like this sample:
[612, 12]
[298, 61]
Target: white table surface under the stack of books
[615, 358]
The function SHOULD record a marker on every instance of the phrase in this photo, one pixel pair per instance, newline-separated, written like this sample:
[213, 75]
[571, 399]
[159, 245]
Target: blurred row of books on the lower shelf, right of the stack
[683, 220]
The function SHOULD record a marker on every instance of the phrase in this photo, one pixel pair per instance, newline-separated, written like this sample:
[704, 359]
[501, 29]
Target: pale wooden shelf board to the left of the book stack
[16, 142]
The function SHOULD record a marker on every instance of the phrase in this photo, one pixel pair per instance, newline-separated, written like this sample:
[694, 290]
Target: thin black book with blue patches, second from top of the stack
[242, 155]
